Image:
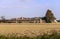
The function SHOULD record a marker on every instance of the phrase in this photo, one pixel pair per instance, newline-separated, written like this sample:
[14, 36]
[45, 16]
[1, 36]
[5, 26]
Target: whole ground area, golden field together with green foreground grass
[30, 31]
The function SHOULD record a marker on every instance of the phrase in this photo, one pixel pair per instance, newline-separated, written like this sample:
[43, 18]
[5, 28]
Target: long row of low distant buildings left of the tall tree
[23, 20]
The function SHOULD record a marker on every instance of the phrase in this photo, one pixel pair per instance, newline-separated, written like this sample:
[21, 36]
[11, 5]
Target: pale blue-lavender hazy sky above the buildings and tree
[28, 8]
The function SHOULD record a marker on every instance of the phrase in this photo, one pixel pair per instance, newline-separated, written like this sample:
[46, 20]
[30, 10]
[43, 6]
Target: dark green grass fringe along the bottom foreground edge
[53, 35]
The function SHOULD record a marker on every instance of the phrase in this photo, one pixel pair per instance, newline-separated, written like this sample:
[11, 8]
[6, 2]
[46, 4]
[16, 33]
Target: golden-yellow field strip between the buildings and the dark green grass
[26, 28]
